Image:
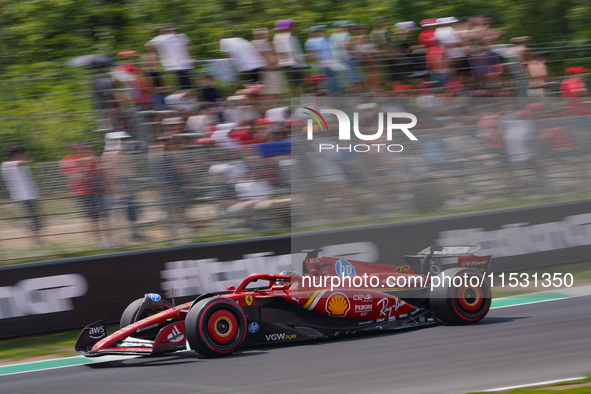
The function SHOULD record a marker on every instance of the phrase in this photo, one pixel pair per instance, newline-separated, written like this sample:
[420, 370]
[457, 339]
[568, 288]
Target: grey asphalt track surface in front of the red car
[511, 346]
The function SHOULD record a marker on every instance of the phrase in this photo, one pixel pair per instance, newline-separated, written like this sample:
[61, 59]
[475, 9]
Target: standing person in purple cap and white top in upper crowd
[289, 52]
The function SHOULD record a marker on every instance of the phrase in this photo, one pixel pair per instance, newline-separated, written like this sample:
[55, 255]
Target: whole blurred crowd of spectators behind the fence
[179, 131]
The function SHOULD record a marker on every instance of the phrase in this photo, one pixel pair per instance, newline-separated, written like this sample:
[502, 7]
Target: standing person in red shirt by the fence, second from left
[86, 180]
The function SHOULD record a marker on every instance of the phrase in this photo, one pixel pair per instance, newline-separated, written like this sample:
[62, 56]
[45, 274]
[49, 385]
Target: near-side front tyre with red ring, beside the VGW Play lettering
[215, 327]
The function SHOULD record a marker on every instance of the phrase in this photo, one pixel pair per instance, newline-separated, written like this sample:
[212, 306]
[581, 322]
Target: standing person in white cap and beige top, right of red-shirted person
[120, 176]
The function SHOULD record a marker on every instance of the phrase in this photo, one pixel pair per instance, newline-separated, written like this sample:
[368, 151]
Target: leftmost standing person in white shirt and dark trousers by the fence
[23, 189]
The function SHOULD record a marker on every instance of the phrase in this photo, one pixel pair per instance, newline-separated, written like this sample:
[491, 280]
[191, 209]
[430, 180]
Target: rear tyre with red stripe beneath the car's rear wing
[462, 301]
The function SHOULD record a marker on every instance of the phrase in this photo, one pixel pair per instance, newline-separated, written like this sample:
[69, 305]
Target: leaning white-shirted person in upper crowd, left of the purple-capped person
[246, 57]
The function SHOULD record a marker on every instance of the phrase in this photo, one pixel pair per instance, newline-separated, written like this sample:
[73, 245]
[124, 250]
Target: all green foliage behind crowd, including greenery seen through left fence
[37, 37]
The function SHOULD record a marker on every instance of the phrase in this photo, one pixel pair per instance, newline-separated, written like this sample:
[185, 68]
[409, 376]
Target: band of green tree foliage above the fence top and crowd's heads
[45, 30]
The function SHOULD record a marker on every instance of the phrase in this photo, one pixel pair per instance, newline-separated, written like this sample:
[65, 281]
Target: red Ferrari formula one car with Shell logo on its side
[278, 308]
